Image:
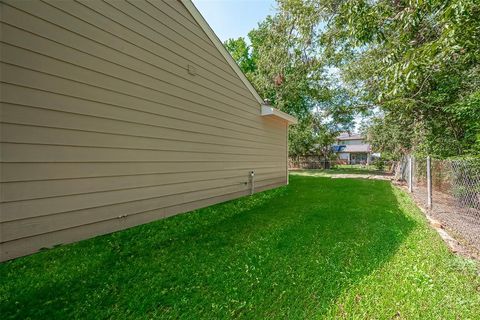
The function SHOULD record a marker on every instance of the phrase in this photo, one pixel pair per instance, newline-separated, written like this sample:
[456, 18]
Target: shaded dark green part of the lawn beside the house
[284, 253]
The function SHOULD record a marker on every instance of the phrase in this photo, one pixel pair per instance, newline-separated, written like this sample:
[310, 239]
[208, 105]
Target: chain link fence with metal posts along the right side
[450, 191]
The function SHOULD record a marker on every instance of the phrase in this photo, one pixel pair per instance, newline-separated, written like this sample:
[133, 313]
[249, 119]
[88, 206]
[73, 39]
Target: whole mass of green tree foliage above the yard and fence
[413, 66]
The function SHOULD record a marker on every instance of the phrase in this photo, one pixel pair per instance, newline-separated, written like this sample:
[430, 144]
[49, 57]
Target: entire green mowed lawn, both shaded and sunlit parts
[319, 248]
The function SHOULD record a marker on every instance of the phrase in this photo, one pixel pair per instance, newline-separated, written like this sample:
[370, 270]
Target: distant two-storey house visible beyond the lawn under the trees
[352, 149]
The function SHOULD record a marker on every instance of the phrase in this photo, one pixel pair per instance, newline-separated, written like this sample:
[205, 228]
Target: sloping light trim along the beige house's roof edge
[188, 4]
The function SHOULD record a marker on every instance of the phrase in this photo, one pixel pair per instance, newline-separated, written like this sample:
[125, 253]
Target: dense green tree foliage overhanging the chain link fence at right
[419, 62]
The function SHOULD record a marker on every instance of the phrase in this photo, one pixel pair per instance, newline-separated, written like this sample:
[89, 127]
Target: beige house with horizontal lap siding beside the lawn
[119, 113]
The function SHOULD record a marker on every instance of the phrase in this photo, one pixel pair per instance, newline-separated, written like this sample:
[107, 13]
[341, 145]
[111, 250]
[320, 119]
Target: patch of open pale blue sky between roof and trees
[234, 18]
